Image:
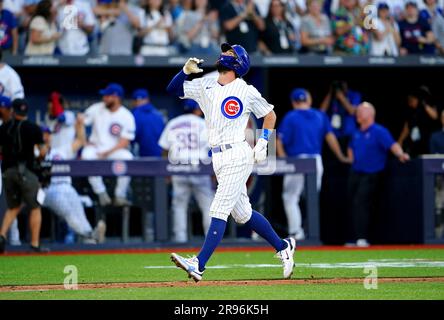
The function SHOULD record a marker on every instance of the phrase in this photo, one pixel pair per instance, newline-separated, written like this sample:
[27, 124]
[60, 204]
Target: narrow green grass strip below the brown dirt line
[431, 291]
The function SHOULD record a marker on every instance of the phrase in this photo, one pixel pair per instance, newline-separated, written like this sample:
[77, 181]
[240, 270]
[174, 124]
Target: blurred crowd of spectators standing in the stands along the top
[166, 27]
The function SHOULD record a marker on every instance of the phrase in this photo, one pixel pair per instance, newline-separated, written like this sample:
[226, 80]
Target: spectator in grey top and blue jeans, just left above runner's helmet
[198, 30]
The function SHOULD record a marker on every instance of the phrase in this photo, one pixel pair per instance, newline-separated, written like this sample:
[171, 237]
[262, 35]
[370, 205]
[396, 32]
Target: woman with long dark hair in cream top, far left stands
[43, 34]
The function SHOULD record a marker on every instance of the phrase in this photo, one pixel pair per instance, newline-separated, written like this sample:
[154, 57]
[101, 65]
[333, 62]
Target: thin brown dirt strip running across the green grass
[130, 285]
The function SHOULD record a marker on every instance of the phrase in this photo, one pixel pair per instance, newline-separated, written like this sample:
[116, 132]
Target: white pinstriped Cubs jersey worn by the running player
[226, 108]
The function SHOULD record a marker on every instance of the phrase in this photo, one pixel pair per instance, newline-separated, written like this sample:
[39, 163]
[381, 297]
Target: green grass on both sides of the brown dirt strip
[34, 270]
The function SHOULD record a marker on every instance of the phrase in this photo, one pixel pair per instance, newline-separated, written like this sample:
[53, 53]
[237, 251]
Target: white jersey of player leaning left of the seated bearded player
[63, 134]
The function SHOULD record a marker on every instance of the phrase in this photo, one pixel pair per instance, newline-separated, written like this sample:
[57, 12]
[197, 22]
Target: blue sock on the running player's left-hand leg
[214, 236]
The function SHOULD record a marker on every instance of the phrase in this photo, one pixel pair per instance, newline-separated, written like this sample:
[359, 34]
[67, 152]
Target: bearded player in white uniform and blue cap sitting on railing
[113, 127]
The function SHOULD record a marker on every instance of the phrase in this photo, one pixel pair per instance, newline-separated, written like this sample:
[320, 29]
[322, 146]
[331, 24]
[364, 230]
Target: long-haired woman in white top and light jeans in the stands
[157, 31]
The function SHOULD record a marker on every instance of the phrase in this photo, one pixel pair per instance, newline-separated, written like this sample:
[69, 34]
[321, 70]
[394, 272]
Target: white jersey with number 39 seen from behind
[186, 139]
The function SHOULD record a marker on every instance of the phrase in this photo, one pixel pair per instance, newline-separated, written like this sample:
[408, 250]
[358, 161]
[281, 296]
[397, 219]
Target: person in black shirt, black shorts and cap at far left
[19, 141]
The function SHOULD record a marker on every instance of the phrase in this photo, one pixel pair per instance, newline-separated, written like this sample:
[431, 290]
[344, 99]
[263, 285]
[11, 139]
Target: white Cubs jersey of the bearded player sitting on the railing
[109, 127]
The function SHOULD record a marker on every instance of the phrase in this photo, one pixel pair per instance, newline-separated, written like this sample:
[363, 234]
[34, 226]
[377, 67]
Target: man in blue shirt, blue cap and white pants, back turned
[301, 134]
